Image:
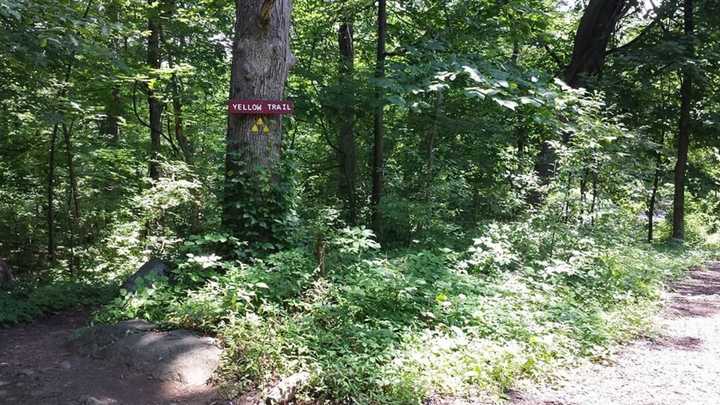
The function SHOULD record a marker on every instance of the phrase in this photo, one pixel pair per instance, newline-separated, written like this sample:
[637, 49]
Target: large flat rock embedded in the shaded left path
[177, 355]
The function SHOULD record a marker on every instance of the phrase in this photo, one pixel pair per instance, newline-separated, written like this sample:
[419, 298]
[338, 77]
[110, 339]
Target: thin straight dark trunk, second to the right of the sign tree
[378, 166]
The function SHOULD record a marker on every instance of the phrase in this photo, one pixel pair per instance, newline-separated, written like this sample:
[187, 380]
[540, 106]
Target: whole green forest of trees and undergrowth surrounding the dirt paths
[405, 201]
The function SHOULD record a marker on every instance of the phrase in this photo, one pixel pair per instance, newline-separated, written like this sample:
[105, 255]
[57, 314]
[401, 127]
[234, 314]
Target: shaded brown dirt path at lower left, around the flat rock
[37, 368]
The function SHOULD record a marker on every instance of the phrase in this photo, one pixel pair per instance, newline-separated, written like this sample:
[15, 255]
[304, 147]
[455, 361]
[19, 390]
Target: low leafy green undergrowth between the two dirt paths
[400, 326]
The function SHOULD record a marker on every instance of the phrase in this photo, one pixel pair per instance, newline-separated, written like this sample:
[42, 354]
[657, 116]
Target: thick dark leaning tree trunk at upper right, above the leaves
[596, 27]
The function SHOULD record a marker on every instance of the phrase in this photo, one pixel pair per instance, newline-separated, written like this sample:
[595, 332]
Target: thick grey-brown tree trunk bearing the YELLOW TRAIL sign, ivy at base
[260, 65]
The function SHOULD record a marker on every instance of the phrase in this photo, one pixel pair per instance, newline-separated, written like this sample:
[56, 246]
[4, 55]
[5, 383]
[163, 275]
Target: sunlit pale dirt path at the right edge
[681, 366]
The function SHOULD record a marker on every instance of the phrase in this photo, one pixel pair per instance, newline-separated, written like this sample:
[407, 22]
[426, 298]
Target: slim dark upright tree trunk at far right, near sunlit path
[683, 132]
